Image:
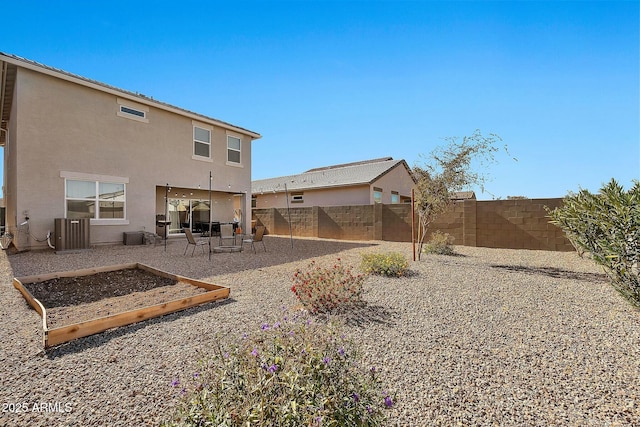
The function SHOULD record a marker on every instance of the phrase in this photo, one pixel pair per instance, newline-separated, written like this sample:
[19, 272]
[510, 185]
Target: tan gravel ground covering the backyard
[488, 337]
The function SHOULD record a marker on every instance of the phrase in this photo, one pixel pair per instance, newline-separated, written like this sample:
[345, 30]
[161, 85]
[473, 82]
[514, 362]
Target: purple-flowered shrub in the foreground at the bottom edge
[293, 372]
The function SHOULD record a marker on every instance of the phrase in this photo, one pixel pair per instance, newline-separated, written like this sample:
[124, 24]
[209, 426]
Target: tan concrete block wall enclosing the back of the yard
[510, 224]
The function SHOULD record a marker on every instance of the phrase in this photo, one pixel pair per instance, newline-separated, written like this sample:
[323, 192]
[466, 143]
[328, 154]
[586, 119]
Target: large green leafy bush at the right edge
[607, 226]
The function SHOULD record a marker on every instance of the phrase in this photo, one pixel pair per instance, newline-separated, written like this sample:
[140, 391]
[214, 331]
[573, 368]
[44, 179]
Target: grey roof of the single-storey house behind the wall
[348, 174]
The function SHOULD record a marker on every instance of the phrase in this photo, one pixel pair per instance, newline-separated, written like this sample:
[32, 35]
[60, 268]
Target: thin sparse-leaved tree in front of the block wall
[449, 169]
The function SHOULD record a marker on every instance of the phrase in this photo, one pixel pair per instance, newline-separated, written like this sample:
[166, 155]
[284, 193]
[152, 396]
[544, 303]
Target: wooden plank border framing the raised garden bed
[67, 333]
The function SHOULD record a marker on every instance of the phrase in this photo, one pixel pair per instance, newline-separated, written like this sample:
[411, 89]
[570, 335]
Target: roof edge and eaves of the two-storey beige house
[9, 64]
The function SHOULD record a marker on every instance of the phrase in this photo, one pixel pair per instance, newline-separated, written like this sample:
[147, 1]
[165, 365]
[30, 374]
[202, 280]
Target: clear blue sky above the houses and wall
[334, 82]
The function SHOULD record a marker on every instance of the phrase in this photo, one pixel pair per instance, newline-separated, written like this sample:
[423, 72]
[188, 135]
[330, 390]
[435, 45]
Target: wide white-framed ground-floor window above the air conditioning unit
[94, 199]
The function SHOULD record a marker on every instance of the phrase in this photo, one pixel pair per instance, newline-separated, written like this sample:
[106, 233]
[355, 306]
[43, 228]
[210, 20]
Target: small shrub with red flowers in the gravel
[327, 289]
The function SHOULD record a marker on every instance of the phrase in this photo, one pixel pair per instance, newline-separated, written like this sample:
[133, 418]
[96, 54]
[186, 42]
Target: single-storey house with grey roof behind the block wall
[360, 183]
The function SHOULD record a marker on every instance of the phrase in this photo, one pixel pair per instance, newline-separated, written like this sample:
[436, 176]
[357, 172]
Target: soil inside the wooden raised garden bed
[70, 300]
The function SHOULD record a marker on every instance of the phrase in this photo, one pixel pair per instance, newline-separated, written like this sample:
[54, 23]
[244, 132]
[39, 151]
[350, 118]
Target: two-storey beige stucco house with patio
[78, 148]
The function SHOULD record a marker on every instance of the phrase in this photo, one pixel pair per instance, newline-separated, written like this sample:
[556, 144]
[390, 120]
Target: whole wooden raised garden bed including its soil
[85, 288]
